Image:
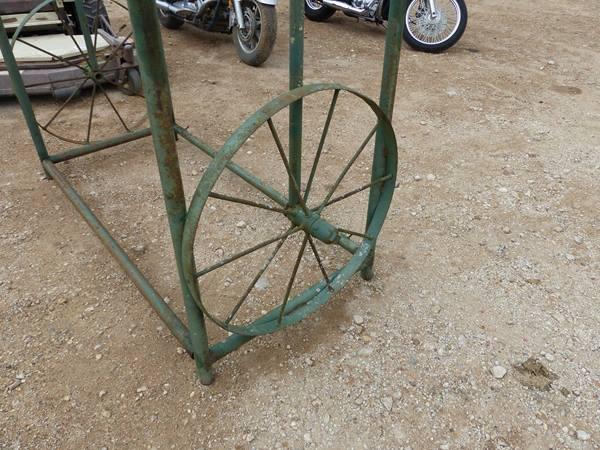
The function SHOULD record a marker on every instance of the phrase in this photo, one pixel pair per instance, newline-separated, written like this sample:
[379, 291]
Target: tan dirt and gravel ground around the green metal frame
[489, 261]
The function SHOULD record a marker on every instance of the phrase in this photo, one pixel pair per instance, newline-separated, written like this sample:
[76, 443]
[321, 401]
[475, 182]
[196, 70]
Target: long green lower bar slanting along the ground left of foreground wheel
[167, 315]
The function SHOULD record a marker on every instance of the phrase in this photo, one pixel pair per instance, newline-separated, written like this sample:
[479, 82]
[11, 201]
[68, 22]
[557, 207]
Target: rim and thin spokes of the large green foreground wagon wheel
[291, 309]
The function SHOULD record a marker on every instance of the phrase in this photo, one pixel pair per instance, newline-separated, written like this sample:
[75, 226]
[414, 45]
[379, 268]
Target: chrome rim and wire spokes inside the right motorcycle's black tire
[433, 30]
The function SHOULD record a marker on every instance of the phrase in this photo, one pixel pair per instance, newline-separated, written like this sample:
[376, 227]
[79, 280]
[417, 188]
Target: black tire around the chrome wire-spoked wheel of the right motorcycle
[417, 42]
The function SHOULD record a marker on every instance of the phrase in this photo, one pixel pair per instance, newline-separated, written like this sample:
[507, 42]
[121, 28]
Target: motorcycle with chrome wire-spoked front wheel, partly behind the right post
[431, 26]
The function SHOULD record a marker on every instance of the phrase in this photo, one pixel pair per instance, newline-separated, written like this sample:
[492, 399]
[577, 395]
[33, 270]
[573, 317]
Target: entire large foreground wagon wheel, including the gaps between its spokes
[280, 259]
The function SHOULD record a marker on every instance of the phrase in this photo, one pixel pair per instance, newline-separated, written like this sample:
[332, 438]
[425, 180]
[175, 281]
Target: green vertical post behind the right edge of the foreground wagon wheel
[391, 61]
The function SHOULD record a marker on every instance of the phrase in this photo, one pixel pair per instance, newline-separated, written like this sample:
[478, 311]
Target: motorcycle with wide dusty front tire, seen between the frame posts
[253, 23]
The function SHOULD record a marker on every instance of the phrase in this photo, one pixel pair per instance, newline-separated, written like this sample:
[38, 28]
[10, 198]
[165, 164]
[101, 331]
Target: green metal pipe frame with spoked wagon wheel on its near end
[183, 220]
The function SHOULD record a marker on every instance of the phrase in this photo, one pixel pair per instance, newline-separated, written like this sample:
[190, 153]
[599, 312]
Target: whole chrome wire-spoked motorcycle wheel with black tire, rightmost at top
[434, 34]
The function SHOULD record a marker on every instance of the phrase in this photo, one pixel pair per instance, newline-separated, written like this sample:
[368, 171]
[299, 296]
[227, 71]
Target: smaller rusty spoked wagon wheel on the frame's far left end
[87, 108]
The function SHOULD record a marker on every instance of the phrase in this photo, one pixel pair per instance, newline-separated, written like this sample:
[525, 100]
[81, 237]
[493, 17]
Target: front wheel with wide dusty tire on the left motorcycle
[251, 52]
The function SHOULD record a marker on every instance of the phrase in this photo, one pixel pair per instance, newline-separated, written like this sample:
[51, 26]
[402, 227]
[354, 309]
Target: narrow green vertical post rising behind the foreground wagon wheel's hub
[296, 80]
